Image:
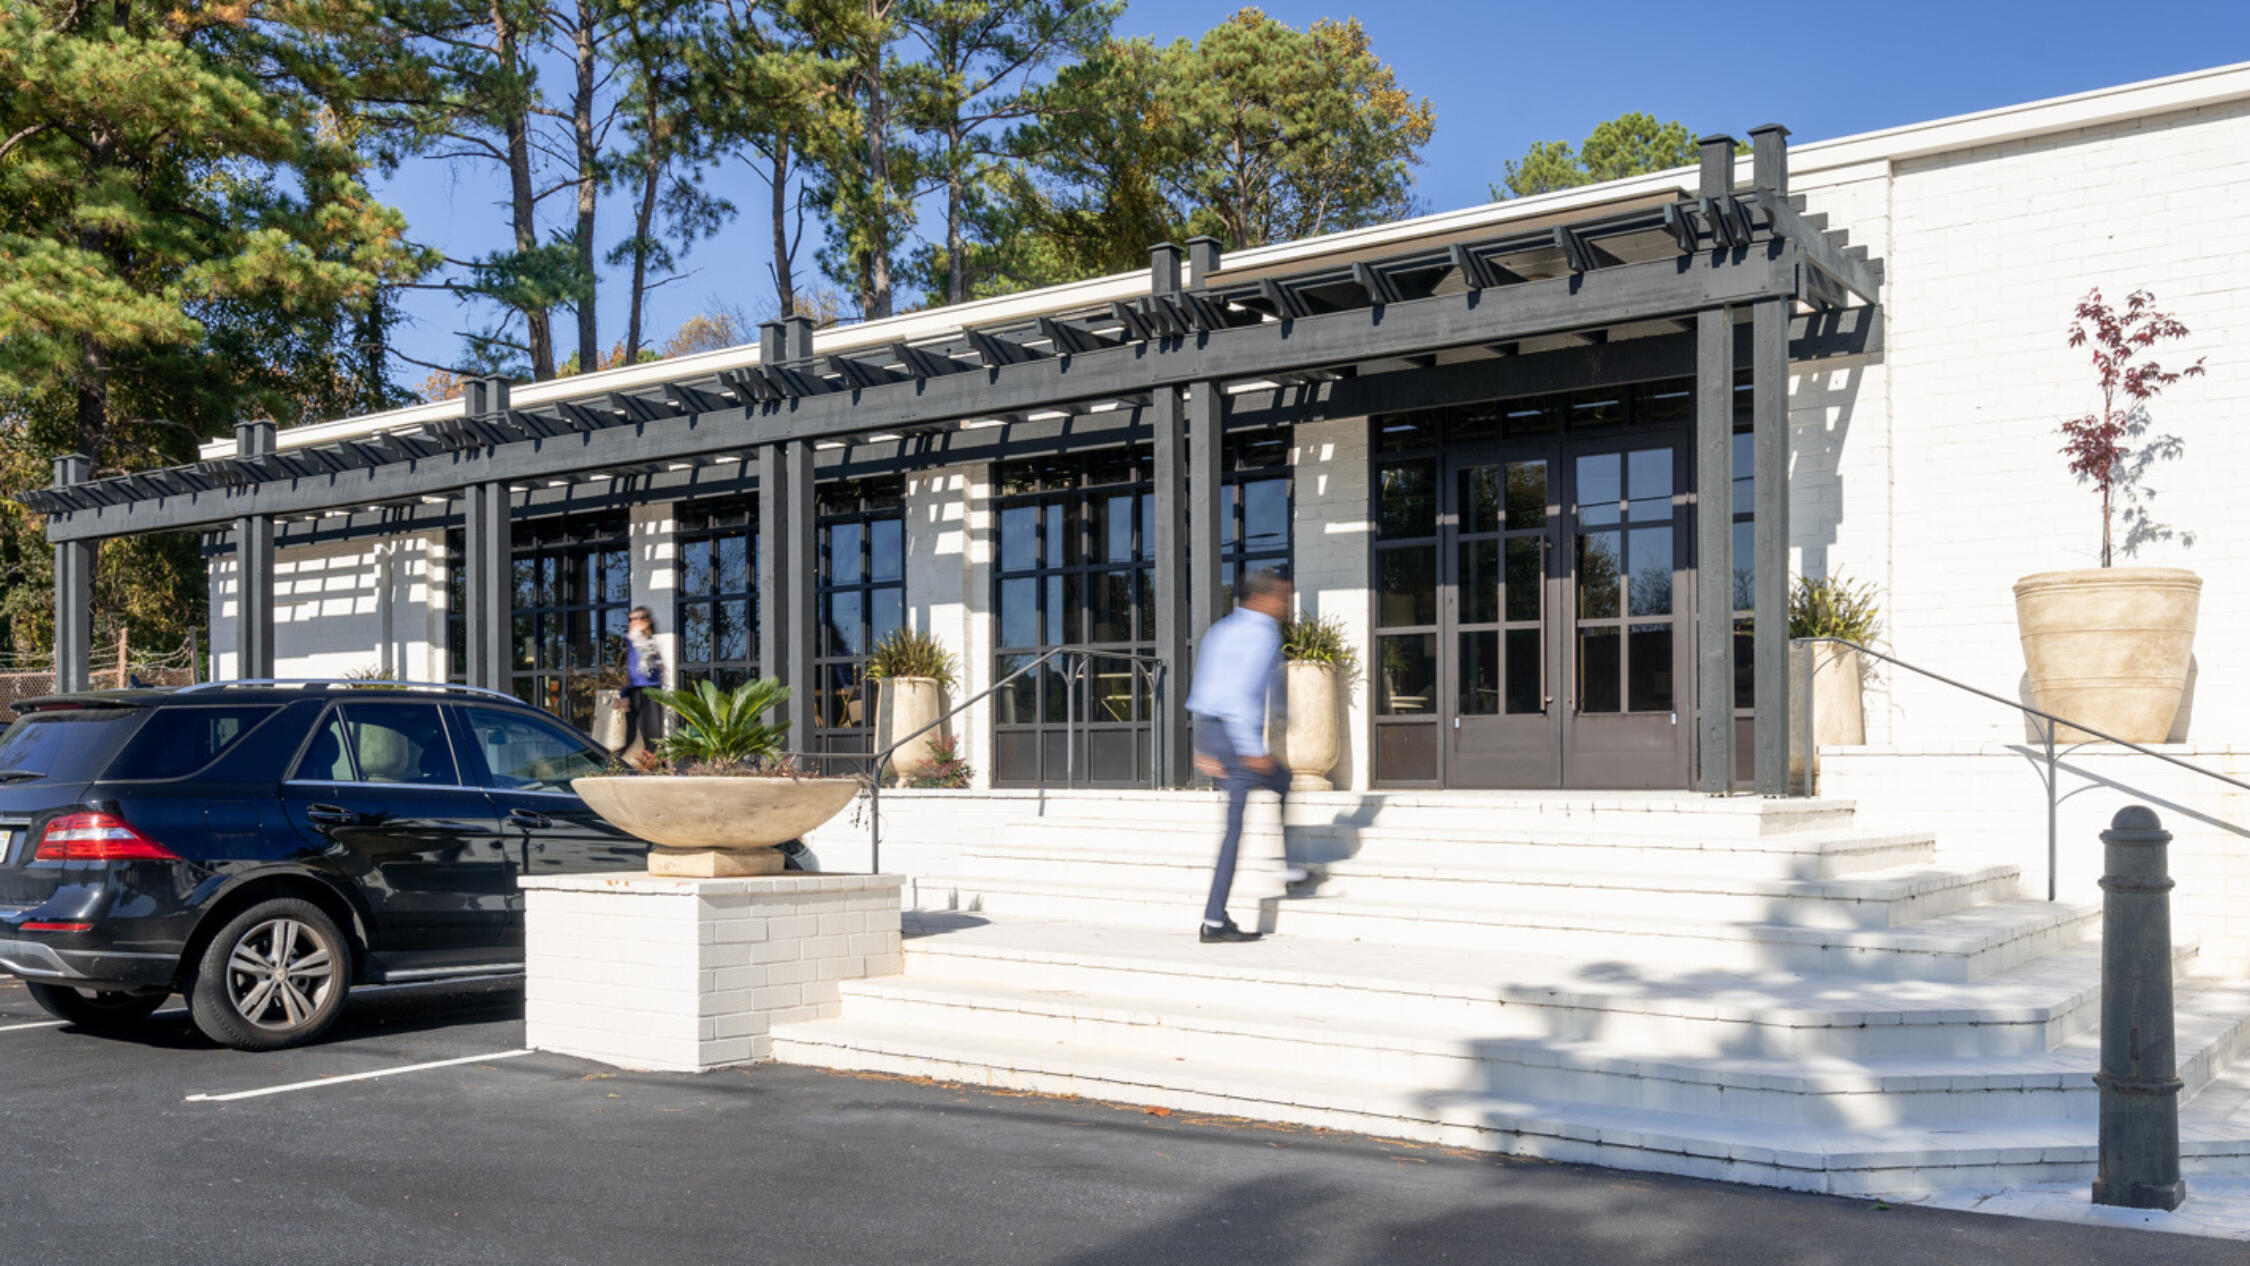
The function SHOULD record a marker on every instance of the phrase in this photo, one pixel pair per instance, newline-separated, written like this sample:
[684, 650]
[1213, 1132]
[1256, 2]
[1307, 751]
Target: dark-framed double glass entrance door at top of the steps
[1565, 646]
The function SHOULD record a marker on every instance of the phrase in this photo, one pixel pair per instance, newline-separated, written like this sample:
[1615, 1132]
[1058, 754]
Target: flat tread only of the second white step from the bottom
[2208, 1018]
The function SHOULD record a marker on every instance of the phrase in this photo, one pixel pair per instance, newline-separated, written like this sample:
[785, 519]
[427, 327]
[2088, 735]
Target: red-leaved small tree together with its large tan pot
[2112, 646]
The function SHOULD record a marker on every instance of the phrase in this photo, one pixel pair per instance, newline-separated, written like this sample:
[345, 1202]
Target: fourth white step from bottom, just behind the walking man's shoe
[1961, 946]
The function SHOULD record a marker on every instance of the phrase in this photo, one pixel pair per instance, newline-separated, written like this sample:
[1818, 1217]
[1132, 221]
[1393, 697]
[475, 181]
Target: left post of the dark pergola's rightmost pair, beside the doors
[1716, 514]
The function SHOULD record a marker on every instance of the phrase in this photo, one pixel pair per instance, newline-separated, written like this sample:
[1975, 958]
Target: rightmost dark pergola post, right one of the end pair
[1770, 464]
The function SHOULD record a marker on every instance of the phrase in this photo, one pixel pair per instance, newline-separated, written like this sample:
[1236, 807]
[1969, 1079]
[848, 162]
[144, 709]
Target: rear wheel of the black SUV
[273, 977]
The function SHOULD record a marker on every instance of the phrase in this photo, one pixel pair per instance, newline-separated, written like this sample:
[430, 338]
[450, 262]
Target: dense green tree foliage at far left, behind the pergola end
[186, 242]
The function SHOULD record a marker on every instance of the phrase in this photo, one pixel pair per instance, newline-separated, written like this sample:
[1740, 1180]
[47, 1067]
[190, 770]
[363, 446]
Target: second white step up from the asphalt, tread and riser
[1457, 1058]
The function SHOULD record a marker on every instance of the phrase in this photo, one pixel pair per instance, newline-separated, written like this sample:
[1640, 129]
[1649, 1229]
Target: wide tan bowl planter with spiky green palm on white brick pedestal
[723, 795]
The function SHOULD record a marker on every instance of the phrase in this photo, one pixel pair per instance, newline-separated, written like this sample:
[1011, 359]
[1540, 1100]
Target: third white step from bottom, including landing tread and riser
[1659, 1006]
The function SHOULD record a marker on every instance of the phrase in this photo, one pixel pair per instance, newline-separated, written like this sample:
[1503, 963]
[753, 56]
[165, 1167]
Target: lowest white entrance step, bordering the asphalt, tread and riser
[1817, 1159]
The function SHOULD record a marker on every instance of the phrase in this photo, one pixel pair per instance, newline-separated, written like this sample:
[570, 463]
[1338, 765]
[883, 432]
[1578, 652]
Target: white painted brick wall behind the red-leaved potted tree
[1986, 253]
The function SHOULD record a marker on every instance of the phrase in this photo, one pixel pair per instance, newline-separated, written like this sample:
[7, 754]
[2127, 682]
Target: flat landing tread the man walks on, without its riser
[2031, 993]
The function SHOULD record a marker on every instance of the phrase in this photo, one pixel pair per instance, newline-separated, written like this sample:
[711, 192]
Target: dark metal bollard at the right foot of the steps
[2141, 1087]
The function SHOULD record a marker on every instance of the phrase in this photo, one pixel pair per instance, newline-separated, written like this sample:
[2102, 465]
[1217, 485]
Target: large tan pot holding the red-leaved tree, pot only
[2109, 646]
